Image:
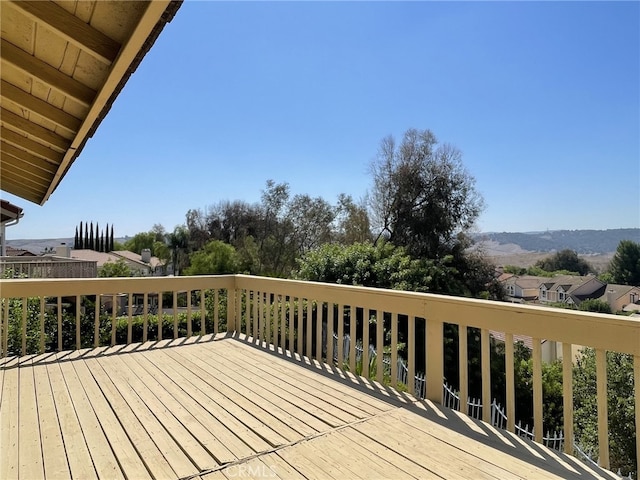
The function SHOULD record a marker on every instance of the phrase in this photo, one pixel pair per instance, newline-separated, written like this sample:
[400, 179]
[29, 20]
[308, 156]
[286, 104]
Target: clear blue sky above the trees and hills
[542, 99]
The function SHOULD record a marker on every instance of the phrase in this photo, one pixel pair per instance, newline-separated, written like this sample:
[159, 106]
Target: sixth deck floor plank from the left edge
[119, 441]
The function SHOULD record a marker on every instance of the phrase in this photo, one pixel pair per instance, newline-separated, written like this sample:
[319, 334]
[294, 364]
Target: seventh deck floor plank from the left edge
[145, 445]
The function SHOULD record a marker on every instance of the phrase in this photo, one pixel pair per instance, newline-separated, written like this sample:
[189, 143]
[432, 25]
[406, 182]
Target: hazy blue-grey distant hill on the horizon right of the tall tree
[586, 242]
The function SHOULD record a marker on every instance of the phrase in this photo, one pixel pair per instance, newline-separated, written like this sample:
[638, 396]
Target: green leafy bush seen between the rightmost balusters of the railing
[620, 404]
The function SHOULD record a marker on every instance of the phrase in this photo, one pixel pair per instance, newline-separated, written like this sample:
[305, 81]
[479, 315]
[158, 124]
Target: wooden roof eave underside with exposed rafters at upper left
[63, 63]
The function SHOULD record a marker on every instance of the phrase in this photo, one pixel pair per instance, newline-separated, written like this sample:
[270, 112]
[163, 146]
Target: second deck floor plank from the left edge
[29, 445]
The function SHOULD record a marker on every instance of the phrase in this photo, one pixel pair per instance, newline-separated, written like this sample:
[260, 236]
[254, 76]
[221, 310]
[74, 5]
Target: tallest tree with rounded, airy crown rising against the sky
[422, 196]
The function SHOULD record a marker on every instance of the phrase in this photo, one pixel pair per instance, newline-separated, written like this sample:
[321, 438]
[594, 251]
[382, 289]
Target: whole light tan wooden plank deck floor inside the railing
[223, 408]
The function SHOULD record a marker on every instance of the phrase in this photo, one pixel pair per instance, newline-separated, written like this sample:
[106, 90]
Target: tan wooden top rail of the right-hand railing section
[609, 332]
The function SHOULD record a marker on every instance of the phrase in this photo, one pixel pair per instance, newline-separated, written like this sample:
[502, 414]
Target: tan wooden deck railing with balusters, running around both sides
[301, 317]
